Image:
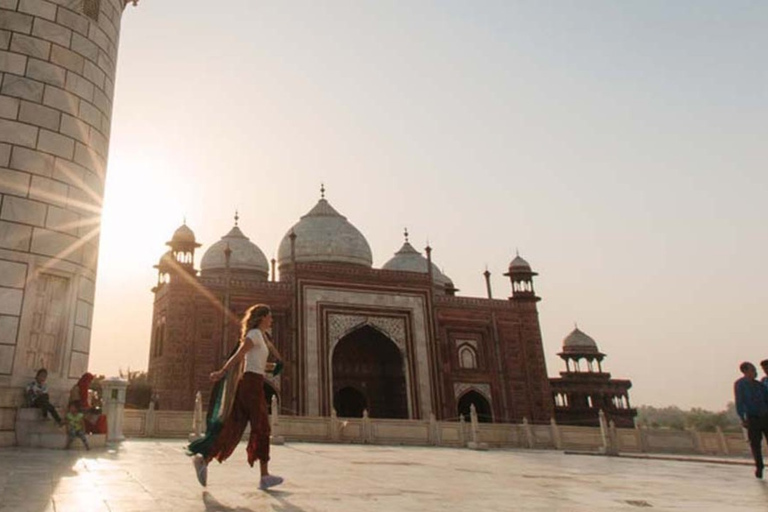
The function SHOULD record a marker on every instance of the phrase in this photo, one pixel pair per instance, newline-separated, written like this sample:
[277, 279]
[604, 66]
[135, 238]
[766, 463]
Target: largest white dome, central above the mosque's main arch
[324, 235]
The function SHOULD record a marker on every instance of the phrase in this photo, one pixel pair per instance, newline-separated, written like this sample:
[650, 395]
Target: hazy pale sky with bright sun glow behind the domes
[621, 146]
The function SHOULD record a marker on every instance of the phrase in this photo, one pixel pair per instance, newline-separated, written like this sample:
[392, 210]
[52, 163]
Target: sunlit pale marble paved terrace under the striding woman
[151, 475]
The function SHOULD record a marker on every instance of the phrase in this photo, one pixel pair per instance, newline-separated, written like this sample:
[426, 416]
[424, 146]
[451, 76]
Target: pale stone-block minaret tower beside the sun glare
[58, 83]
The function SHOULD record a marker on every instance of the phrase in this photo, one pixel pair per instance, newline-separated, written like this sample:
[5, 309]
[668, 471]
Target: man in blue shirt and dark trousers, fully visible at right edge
[752, 407]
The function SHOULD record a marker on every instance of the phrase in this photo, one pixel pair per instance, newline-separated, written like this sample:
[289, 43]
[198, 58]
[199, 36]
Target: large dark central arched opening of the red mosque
[368, 373]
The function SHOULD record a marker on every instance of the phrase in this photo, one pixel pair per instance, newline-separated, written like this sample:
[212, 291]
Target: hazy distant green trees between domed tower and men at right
[696, 418]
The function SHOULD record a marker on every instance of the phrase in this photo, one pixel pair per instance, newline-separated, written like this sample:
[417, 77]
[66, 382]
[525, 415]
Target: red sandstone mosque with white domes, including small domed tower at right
[396, 341]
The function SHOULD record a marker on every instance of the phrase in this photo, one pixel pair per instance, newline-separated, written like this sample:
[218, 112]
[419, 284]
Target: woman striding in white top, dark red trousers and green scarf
[238, 398]
